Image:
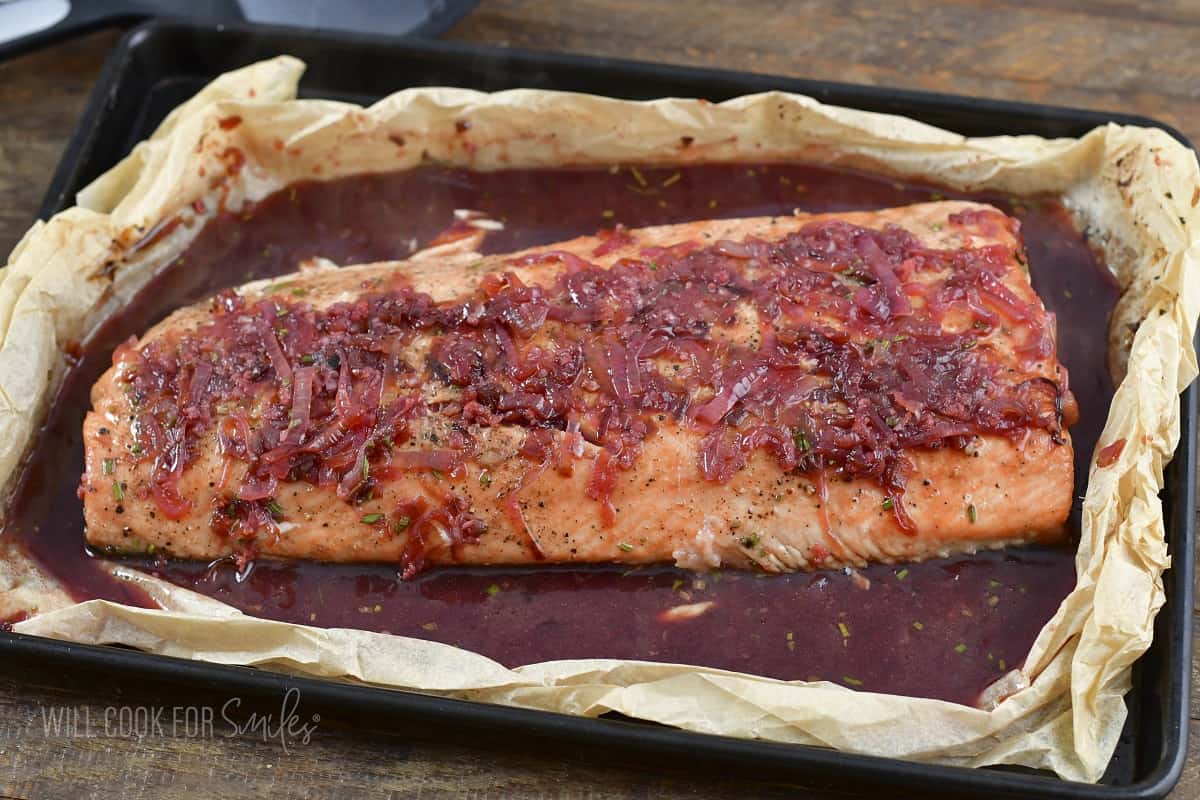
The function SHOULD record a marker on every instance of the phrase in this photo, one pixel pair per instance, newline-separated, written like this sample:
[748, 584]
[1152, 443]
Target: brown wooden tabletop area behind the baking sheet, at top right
[1114, 56]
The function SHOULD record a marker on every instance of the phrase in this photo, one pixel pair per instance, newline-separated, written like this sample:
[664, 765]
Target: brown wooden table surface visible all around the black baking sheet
[1129, 56]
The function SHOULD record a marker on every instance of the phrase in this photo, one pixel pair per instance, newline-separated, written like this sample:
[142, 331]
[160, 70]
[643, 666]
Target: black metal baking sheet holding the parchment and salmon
[160, 65]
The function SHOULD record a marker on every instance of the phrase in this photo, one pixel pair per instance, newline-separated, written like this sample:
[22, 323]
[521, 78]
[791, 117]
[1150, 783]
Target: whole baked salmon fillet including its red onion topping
[778, 393]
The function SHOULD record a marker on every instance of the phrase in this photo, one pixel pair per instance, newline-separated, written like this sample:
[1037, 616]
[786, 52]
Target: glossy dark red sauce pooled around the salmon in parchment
[944, 629]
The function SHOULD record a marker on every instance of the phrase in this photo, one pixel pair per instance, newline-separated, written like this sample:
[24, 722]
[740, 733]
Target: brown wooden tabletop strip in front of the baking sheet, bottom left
[91, 753]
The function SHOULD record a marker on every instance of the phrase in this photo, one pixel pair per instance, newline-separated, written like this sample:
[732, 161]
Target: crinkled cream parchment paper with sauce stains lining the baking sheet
[1133, 190]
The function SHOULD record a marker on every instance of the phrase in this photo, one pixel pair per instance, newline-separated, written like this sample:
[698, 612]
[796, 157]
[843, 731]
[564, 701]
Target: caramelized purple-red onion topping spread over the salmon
[841, 365]
